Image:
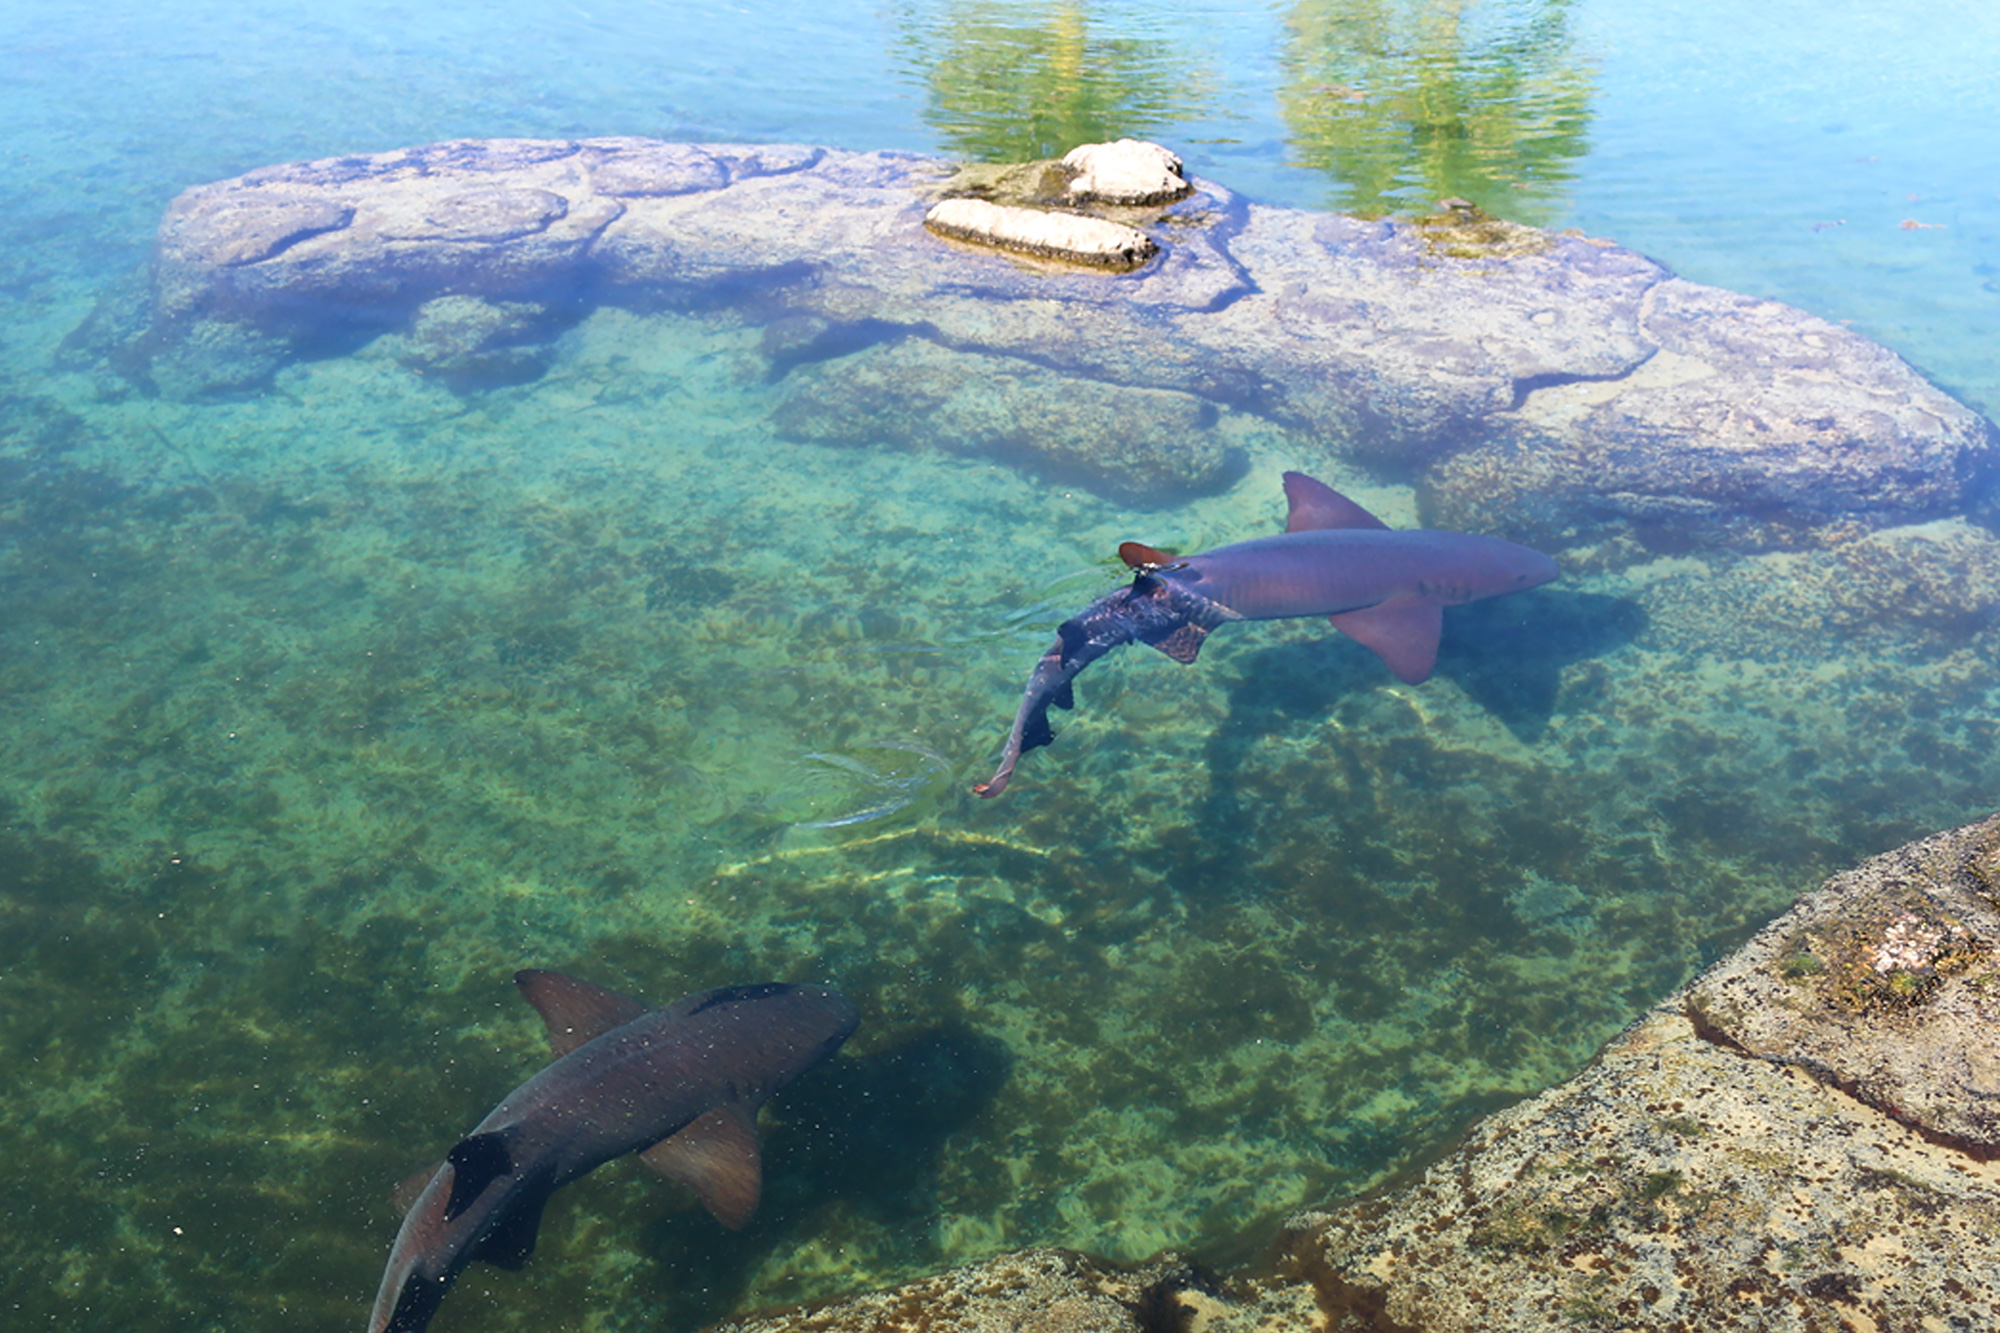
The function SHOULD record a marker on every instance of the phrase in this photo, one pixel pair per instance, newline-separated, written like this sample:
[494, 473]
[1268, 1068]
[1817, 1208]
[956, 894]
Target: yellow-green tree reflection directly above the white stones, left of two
[1011, 83]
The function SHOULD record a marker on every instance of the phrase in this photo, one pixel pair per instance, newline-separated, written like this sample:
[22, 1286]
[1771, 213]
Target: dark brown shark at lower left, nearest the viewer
[677, 1086]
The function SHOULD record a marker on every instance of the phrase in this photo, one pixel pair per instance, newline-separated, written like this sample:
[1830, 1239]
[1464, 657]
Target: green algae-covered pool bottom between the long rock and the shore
[333, 708]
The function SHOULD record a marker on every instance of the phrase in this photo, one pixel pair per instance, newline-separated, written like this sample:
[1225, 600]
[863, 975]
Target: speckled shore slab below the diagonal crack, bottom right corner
[1671, 1186]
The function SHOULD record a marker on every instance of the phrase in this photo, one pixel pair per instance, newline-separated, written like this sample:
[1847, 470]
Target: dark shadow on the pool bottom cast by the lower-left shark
[865, 1132]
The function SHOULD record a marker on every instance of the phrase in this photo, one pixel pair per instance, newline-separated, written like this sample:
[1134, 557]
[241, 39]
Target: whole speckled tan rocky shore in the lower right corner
[1801, 1140]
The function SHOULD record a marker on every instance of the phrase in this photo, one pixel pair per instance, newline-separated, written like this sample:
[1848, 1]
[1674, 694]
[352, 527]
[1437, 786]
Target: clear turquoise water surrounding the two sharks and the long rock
[327, 708]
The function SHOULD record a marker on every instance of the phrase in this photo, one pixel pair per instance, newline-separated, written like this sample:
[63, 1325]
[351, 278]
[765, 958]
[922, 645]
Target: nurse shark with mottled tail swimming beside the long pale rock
[1335, 559]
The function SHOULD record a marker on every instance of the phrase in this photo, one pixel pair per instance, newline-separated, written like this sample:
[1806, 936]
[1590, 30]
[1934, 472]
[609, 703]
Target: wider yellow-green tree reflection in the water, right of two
[1405, 103]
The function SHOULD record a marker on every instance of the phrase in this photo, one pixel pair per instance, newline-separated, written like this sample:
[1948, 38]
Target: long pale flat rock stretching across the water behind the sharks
[1553, 389]
